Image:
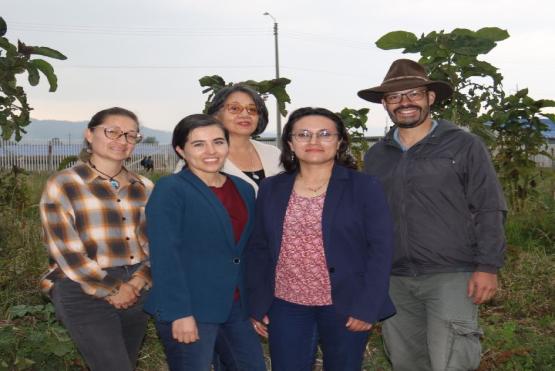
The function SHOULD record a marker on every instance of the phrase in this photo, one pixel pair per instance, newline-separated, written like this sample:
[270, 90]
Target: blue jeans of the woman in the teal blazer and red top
[237, 333]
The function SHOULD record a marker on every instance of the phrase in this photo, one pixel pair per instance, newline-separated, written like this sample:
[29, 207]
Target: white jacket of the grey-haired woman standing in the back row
[268, 154]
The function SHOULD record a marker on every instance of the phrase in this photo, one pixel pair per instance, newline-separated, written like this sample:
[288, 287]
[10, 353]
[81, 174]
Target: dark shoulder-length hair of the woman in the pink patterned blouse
[343, 157]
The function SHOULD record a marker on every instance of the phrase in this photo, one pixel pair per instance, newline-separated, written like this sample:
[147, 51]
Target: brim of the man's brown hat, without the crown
[442, 89]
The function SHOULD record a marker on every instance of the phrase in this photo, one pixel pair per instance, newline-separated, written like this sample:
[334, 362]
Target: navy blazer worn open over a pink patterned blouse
[357, 232]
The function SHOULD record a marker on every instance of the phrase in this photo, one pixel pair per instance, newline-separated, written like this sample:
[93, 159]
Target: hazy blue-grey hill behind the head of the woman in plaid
[71, 131]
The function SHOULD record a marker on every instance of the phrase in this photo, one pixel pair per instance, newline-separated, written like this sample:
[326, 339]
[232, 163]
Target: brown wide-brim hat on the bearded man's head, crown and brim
[406, 74]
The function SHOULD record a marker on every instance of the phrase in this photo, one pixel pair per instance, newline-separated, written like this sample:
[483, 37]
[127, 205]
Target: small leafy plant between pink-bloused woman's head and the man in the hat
[355, 122]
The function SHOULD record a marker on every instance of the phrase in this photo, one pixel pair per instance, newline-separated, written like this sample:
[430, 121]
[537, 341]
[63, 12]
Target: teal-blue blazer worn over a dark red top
[196, 264]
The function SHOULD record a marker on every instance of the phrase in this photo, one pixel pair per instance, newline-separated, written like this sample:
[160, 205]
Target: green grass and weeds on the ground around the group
[519, 323]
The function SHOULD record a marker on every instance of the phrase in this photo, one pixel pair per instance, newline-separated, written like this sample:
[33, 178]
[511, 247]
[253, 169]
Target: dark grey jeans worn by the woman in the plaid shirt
[109, 339]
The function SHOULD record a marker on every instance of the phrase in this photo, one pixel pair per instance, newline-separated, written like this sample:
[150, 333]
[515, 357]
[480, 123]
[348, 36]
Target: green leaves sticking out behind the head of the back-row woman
[275, 87]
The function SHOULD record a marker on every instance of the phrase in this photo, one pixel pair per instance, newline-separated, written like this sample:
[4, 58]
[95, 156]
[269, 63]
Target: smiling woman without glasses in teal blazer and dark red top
[198, 222]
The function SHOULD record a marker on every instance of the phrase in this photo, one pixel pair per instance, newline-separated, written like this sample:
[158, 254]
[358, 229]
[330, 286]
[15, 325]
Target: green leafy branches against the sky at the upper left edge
[15, 60]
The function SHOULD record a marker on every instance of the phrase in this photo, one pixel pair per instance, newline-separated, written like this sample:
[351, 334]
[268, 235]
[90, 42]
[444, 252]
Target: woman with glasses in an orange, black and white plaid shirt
[94, 230]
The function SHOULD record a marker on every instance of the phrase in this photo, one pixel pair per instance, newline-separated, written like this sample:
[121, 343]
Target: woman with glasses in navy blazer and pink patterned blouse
[320, 253]
